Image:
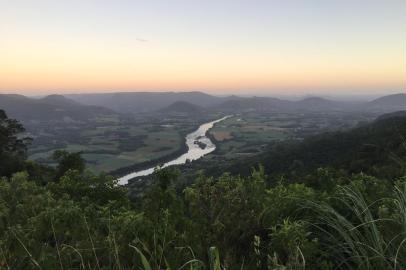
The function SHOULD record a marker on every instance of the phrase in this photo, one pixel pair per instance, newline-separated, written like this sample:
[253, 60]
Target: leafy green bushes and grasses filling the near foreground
[85, 221]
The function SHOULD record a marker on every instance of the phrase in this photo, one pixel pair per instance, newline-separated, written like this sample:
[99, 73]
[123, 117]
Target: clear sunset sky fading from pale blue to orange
[217, 46]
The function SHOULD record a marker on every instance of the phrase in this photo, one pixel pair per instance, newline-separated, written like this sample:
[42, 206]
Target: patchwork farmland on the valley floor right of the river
[249, 133]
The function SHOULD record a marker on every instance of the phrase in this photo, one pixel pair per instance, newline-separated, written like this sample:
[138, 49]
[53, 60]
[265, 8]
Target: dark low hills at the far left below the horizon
[52, 107]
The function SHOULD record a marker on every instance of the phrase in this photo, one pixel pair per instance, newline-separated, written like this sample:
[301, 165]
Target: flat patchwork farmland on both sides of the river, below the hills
[113, 143]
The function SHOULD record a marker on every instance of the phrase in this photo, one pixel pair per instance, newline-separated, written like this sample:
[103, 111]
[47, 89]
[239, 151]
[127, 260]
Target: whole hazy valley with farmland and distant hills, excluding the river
[120, 140]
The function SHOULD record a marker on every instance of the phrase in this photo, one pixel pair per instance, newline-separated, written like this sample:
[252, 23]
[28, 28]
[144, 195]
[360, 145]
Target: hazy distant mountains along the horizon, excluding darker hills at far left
[135, 102]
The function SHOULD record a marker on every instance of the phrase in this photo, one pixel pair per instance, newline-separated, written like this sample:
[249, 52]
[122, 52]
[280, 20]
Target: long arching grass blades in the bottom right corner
[356, 236]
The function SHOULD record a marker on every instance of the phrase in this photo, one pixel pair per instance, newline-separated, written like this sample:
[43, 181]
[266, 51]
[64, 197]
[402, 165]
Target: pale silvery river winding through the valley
[198, 145]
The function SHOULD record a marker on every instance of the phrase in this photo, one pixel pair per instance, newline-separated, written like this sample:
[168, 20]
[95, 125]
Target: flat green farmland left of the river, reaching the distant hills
[110, 144]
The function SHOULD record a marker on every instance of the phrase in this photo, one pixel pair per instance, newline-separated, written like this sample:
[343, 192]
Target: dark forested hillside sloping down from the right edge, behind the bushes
[378, 148]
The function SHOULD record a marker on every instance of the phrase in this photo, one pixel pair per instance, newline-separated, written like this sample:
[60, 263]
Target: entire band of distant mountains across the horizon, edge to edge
[87, 106]
